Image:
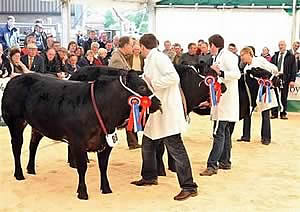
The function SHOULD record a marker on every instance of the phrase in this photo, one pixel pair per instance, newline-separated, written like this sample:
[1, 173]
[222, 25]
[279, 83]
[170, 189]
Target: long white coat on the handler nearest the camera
[165, 83]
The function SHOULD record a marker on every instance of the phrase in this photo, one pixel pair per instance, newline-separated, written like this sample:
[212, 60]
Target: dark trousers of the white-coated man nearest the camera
[177, 150]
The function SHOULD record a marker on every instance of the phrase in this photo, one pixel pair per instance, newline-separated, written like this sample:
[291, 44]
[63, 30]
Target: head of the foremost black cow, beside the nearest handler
[136, 83]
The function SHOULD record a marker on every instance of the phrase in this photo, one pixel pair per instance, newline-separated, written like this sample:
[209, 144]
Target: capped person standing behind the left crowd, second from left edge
[40, 35]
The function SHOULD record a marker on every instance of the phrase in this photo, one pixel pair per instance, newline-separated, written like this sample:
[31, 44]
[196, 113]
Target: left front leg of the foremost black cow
[79, 155]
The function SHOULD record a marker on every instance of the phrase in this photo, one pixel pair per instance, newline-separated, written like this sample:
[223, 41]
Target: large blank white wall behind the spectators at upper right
[256, 27]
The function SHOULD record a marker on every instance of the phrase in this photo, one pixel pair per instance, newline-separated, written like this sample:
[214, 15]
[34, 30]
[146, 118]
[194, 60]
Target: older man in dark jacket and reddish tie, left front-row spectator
[32, 60]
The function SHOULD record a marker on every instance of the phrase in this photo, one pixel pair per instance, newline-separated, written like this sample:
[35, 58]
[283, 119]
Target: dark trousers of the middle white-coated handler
[221, 151]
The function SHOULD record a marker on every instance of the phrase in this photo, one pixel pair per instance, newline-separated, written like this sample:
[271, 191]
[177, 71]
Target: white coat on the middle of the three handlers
[228, 107]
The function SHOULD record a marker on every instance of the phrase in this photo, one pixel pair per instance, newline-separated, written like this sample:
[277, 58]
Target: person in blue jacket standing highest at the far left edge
[9, 34]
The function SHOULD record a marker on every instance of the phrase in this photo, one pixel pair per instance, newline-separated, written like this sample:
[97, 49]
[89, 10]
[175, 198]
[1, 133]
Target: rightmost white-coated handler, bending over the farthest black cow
[248, 58]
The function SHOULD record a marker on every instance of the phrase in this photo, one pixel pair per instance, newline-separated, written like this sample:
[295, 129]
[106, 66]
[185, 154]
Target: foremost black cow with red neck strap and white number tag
[62, 110]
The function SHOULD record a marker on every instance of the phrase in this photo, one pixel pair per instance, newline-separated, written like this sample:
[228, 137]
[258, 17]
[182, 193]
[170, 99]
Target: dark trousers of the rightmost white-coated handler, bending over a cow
[265, 126]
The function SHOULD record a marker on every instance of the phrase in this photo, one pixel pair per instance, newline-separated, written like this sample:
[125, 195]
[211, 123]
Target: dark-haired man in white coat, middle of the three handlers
[226, 112]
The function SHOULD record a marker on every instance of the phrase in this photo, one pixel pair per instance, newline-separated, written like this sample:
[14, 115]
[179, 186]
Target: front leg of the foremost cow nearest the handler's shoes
[103, 163]
